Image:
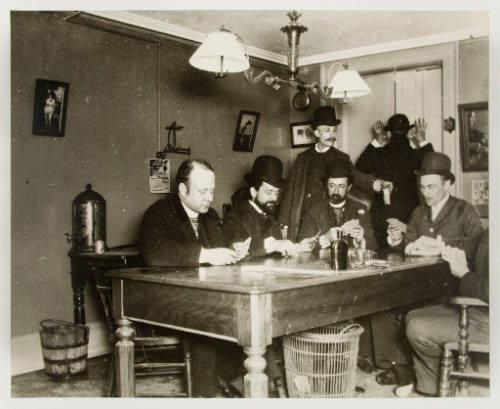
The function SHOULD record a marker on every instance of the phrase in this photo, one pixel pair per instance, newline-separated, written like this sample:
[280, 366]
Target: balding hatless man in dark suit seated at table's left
[183, 230]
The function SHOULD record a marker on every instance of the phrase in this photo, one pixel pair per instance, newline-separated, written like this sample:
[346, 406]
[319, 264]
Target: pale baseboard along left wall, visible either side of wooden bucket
[26, 350]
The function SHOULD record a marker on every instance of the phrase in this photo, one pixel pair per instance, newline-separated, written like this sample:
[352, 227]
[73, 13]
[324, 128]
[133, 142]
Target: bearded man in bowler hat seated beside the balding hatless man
[256, 218]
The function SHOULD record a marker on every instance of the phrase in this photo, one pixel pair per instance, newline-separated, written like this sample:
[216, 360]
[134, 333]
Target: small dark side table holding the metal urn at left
[84, 264]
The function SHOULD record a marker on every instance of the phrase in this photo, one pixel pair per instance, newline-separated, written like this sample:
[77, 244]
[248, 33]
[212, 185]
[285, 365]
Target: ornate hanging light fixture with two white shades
[225, 52]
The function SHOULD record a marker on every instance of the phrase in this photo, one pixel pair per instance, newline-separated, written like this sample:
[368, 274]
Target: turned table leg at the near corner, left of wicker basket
[255, 381]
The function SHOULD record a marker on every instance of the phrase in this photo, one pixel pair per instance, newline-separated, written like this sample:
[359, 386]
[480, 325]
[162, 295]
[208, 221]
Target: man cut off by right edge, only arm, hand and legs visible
[428, 328]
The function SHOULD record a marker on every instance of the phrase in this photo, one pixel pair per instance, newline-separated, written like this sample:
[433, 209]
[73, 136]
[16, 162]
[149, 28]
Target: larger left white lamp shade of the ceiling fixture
[220, 44]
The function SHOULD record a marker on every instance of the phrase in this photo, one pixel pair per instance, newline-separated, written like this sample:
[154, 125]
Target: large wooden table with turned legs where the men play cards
[278, 297]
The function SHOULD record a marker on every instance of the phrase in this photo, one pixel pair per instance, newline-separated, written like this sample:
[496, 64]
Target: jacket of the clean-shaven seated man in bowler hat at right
[457, 222]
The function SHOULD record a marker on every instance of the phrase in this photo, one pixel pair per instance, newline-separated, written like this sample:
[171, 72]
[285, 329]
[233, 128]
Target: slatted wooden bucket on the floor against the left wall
[64, 347]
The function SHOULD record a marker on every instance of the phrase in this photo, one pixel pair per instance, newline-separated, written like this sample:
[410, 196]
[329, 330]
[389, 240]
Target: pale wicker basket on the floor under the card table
[321, 363]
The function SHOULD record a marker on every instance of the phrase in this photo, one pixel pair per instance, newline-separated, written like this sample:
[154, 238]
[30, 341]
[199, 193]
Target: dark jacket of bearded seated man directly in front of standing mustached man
[317, 219]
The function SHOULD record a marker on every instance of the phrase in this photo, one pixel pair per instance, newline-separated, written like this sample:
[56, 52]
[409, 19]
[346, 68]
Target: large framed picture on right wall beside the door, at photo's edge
[474, 134]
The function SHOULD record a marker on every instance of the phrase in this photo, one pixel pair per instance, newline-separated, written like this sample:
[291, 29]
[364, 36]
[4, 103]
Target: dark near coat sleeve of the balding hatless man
[162, 242]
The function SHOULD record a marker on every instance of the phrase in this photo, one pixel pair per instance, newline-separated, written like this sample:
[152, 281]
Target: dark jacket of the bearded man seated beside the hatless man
[244, 221]
